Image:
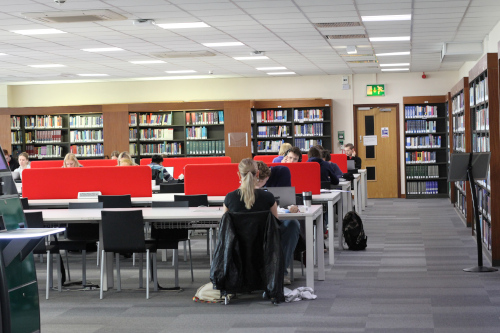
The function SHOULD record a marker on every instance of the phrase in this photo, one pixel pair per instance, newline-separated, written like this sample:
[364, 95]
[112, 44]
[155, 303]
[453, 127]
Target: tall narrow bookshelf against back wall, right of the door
[425, 146]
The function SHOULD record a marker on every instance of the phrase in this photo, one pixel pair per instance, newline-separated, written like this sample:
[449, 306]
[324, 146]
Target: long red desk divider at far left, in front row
[65, 183]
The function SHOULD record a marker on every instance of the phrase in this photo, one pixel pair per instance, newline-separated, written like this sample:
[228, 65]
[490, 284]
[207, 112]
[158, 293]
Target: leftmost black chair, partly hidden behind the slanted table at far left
[35, 220]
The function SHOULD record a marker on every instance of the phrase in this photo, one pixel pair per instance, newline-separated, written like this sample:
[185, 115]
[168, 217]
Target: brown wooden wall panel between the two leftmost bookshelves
[115, 127]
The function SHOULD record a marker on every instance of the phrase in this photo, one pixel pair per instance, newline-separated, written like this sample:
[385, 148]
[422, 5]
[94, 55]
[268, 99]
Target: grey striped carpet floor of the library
[409, 279]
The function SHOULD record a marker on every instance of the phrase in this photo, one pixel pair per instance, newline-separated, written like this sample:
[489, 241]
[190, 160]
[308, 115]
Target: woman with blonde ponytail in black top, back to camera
[249, 198]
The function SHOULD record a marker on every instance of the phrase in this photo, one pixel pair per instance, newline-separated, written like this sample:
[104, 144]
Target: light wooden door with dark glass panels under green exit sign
[380, 158]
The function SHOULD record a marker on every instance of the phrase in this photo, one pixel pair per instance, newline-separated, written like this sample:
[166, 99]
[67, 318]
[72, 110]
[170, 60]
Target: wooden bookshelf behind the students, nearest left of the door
[302, 123]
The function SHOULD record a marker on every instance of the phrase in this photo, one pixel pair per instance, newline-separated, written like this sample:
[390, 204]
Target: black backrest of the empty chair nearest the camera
[123, 231]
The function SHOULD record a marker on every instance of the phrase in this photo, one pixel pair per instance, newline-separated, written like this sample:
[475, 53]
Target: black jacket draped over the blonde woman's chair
[248, 255]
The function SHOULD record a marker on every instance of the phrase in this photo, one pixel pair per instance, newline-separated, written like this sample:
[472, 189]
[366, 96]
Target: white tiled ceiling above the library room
[284, 29]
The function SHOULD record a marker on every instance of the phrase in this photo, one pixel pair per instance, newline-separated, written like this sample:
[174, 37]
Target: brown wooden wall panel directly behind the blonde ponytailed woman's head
[237, 119]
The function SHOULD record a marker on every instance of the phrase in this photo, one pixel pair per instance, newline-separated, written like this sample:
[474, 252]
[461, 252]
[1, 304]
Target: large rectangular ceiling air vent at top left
[75, 16]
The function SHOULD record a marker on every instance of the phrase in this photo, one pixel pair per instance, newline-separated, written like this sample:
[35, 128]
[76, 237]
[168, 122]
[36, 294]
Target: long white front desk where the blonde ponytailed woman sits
[309, 214]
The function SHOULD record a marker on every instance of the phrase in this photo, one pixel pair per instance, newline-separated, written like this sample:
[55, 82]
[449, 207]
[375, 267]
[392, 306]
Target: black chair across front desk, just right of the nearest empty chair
[169, 237]
